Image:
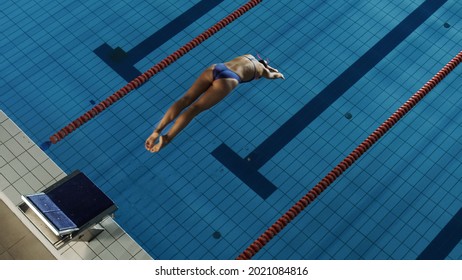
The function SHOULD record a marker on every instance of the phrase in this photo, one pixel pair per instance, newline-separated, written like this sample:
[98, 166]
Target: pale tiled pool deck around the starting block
[26, 169]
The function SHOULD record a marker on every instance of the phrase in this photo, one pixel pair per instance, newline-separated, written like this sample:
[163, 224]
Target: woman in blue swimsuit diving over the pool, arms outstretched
[214, 84]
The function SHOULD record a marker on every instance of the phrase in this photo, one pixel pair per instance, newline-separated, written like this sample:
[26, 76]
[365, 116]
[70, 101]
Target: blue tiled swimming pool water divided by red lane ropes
[239, 166]
